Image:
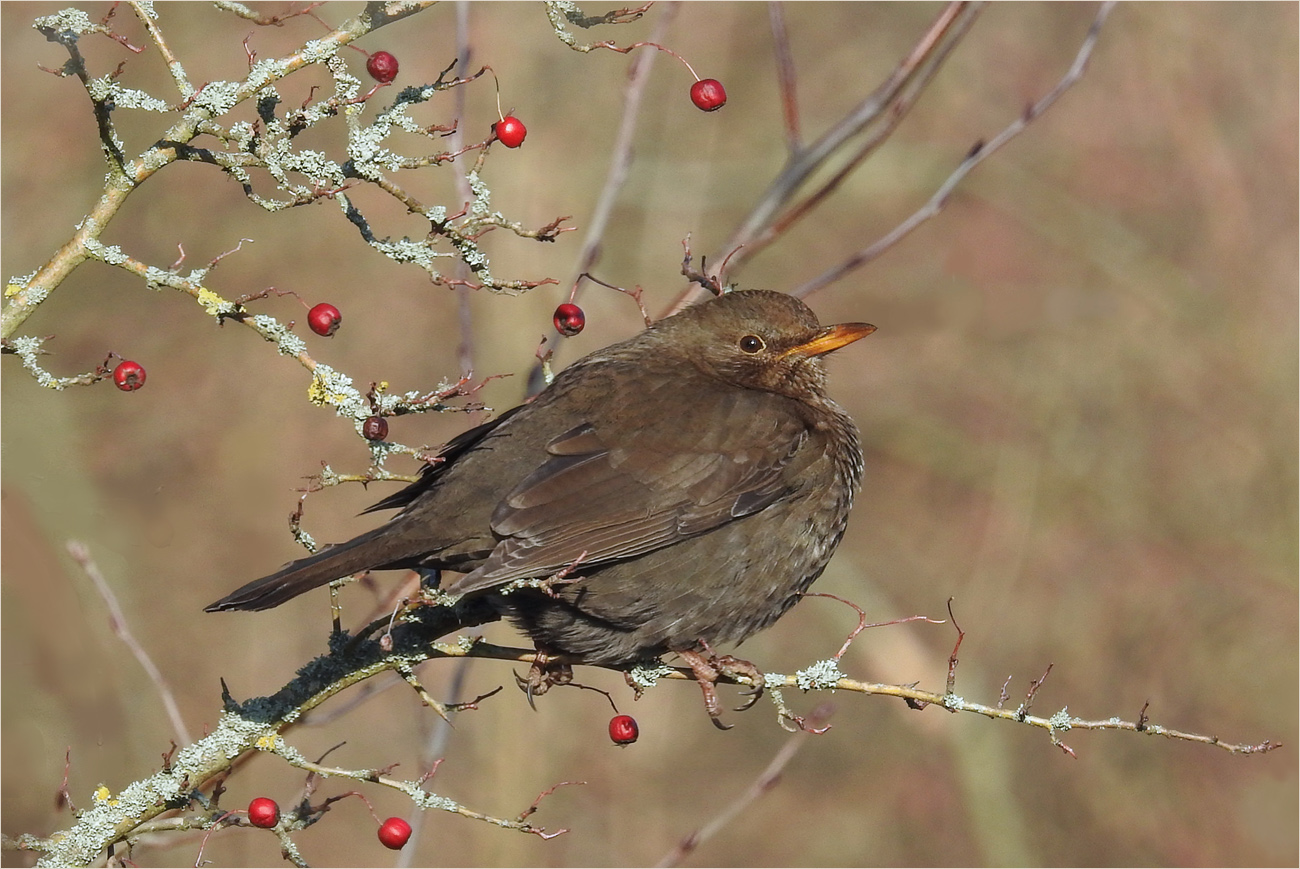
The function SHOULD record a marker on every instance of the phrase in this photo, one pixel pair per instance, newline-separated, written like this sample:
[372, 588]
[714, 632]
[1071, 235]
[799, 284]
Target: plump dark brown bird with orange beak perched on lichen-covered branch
[691, 483]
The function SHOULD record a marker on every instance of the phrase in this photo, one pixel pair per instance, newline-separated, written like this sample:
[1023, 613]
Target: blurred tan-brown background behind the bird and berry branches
[1080, 414]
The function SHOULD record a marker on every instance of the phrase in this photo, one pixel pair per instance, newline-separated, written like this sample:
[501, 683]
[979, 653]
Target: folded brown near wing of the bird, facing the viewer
[614, 494]
